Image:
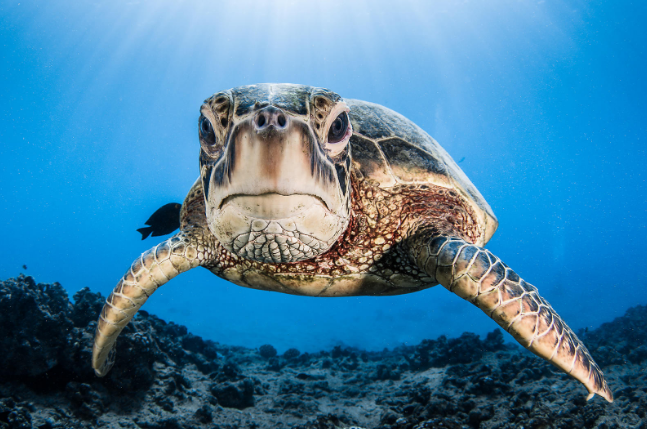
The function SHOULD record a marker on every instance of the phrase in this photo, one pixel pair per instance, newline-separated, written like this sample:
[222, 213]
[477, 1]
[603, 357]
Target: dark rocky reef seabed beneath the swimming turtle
[167, 378]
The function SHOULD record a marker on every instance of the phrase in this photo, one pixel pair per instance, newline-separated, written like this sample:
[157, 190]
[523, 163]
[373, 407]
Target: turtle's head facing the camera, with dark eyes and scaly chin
[274, 163]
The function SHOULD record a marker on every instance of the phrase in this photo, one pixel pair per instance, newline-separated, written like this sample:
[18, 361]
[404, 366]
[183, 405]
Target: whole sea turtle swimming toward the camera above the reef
[303, 192]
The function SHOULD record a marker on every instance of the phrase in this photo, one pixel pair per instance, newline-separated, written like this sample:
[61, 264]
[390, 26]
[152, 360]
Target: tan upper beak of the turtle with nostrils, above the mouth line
[273, 153]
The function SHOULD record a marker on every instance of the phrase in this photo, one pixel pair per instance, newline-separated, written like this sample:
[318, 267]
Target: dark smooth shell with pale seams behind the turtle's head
[390, 149]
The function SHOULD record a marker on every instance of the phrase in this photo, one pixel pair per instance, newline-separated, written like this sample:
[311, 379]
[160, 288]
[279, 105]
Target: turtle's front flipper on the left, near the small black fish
[150, 271]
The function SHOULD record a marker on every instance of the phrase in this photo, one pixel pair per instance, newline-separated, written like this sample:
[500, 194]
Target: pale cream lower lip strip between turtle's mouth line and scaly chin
[273, 205]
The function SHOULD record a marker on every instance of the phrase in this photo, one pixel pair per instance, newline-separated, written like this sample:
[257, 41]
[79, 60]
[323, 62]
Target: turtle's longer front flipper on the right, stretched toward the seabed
[475, 274]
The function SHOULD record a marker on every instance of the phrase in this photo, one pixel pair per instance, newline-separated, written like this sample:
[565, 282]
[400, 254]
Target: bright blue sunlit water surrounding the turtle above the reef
[546, 101]
